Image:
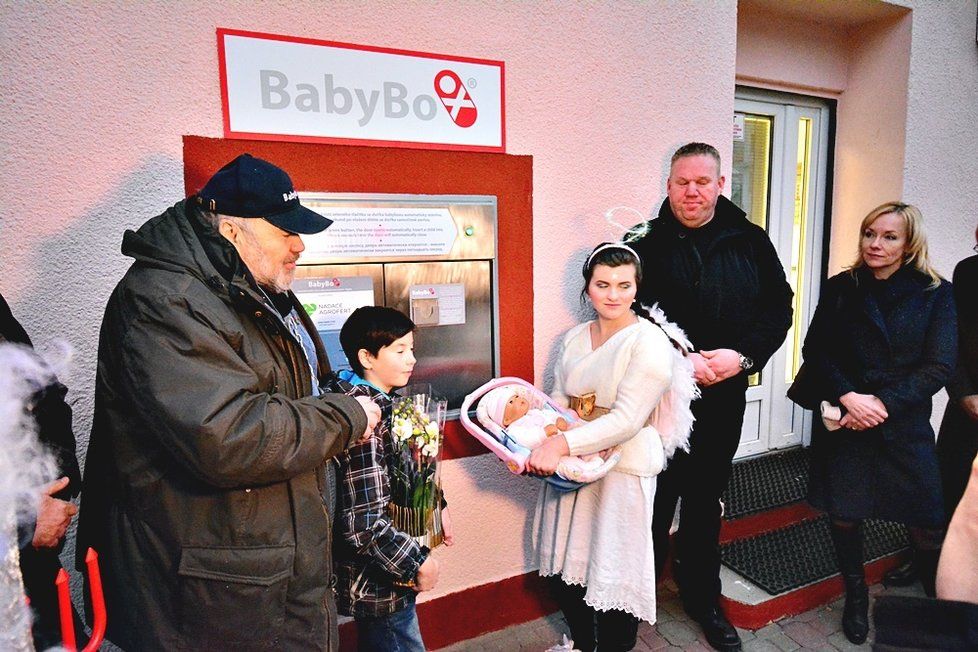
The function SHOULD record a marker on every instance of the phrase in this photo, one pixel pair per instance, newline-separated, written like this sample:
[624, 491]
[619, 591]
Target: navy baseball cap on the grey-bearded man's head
[251, 187]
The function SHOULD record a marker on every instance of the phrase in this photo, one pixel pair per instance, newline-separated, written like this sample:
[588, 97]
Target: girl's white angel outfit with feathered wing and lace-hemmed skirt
[600, 536]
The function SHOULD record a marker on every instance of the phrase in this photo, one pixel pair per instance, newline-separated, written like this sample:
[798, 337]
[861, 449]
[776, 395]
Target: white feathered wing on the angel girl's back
[673, 418]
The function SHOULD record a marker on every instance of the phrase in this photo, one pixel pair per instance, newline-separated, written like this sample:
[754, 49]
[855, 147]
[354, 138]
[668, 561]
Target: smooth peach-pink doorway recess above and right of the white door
[862, 64]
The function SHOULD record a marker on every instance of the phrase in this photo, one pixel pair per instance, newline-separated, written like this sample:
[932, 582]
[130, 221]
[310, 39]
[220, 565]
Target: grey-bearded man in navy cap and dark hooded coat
[206, 477]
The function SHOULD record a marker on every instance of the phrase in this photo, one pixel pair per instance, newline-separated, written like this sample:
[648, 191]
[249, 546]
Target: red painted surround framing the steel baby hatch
[338, 168]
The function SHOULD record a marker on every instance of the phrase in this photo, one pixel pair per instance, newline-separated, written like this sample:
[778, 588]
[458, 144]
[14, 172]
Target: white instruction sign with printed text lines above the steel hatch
[360, 231]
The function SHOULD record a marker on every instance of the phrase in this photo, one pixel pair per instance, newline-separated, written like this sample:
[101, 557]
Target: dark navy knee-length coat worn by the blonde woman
[895, 339]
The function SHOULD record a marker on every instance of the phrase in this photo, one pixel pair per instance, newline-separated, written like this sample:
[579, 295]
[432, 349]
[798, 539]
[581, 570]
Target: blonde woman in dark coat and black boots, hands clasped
[881, 344]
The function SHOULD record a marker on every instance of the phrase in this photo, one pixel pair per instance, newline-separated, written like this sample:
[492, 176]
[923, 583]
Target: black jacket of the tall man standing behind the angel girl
[733, 296]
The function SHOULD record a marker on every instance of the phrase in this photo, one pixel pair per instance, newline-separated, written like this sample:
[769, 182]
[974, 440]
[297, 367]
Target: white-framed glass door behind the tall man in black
[778, 177]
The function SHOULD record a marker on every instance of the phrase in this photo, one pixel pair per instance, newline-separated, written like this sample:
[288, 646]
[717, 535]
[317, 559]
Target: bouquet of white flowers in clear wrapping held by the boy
[415, 507]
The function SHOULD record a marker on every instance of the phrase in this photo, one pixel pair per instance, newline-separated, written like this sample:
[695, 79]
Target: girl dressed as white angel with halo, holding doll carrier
[626, 374]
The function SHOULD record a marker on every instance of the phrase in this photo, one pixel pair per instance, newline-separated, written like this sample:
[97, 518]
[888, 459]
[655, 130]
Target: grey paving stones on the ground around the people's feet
[818, 629]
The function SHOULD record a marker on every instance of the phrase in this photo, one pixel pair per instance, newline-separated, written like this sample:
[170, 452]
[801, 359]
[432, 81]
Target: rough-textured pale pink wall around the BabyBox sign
[98, 95]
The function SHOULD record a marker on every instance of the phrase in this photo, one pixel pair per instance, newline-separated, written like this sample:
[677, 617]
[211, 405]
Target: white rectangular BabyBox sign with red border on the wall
[288, 88]
